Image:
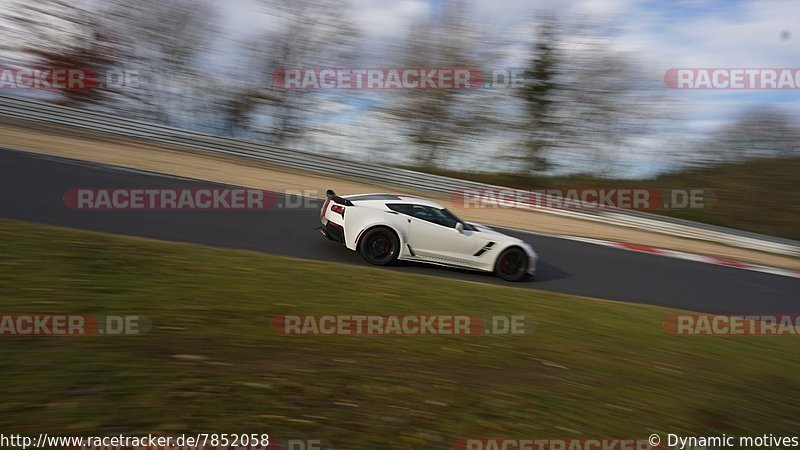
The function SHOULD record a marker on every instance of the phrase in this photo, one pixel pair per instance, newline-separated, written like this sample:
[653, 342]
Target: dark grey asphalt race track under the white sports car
[33, 188]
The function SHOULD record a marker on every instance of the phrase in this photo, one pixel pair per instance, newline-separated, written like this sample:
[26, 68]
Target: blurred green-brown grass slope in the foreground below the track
[211, 362]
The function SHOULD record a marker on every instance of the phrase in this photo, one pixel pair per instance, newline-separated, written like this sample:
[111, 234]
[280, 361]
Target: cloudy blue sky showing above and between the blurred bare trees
[658, 34]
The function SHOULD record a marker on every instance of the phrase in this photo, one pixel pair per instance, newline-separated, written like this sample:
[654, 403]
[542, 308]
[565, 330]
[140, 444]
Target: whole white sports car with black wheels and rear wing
[388, 227]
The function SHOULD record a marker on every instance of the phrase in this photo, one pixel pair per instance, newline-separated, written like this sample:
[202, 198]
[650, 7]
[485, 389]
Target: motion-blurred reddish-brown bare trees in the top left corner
[158, 39]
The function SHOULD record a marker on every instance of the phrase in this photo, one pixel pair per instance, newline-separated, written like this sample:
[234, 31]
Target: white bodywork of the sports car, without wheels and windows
[477, 247]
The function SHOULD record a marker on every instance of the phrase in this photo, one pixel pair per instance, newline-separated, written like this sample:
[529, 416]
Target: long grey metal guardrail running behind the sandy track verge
[95, 121]
